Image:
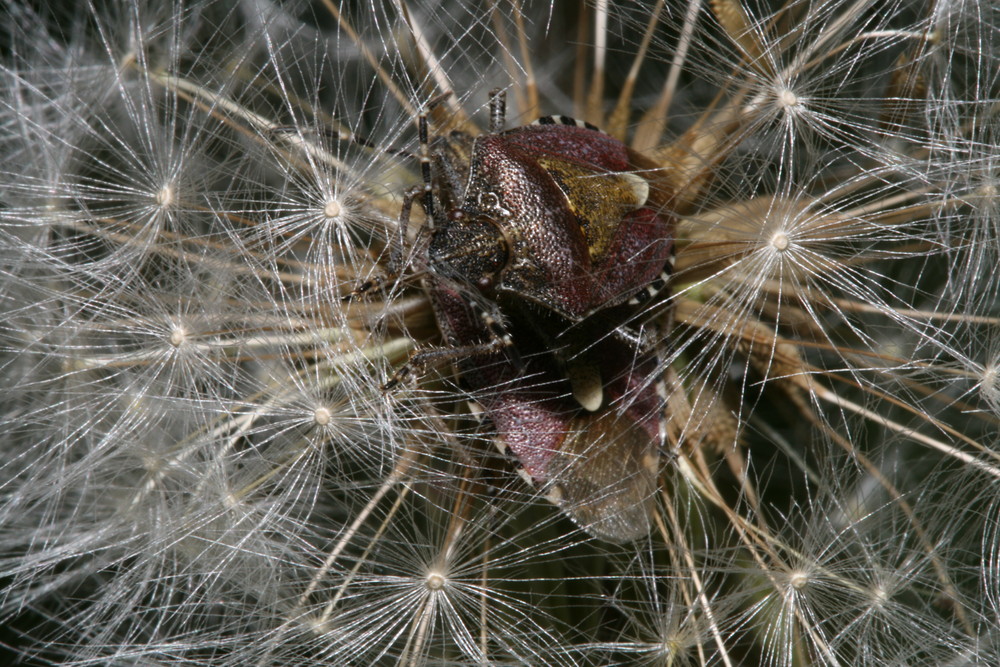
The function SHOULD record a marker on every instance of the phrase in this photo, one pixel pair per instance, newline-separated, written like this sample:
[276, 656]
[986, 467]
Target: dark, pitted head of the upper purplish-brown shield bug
[470, 249]
